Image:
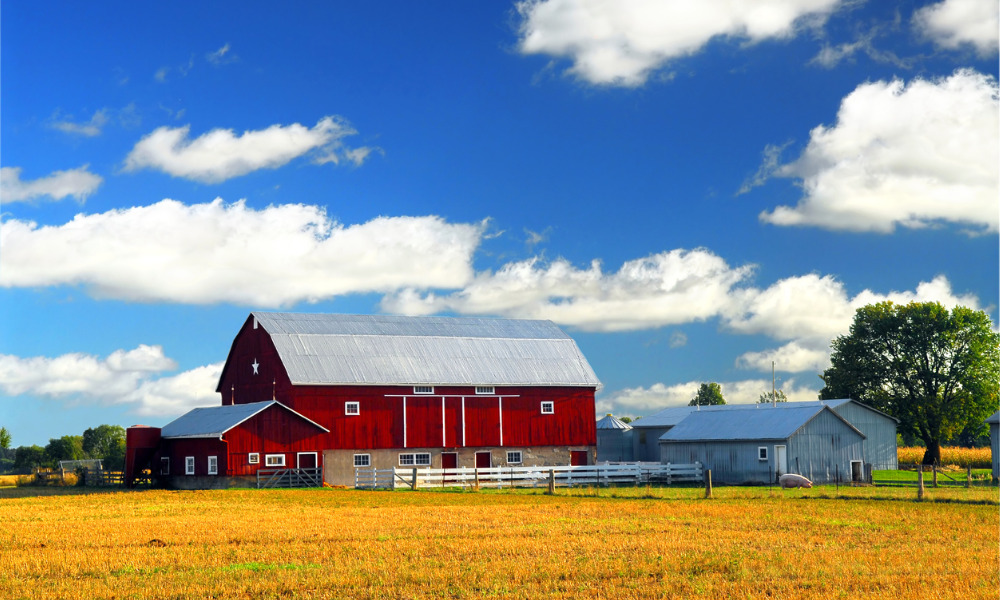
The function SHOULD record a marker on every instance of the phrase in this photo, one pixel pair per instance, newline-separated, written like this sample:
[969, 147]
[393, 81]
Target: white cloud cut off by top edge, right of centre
[621, 42]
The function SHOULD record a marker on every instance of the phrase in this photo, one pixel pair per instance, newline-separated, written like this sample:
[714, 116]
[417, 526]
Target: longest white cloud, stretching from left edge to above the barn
[220, 252]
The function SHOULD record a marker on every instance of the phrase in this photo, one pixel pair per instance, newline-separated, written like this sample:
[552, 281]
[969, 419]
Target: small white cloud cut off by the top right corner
[954, 23]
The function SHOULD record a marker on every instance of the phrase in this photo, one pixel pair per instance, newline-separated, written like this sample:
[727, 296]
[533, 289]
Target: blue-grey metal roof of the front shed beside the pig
[766, 423]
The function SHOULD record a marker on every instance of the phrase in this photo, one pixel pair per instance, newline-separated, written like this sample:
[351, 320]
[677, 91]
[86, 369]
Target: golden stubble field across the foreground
[608, 543]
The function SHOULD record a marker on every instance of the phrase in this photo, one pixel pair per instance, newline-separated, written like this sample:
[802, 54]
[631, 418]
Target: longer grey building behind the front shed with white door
[879, 429]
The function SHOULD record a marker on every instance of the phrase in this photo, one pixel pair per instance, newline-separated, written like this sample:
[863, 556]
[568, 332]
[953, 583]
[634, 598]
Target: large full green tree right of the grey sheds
[935, 370]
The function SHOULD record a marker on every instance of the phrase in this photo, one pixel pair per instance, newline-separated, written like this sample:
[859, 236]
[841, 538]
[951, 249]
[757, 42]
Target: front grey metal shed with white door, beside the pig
[758, 445]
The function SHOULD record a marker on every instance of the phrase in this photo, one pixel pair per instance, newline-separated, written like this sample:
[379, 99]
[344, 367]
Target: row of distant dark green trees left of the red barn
[106, 442]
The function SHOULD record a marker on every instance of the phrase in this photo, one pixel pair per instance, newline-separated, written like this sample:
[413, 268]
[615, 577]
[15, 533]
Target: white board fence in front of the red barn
[505, 477]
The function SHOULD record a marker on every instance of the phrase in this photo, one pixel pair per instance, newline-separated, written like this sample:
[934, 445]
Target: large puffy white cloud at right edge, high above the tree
[903, 154]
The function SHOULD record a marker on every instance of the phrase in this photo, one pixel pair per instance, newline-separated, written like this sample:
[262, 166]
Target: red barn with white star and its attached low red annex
[386, 391]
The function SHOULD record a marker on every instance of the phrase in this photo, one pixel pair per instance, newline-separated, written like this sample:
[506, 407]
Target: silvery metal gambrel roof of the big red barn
[331, 349]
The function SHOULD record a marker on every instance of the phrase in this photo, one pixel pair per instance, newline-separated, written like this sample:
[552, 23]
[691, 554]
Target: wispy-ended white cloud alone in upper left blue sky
[220, 154]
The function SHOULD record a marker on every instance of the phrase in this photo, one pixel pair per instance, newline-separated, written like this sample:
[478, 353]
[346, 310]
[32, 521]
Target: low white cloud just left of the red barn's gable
[123, 377]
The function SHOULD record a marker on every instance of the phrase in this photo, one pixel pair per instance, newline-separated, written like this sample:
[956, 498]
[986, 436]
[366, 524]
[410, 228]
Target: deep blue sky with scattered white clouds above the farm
[692, 191]
